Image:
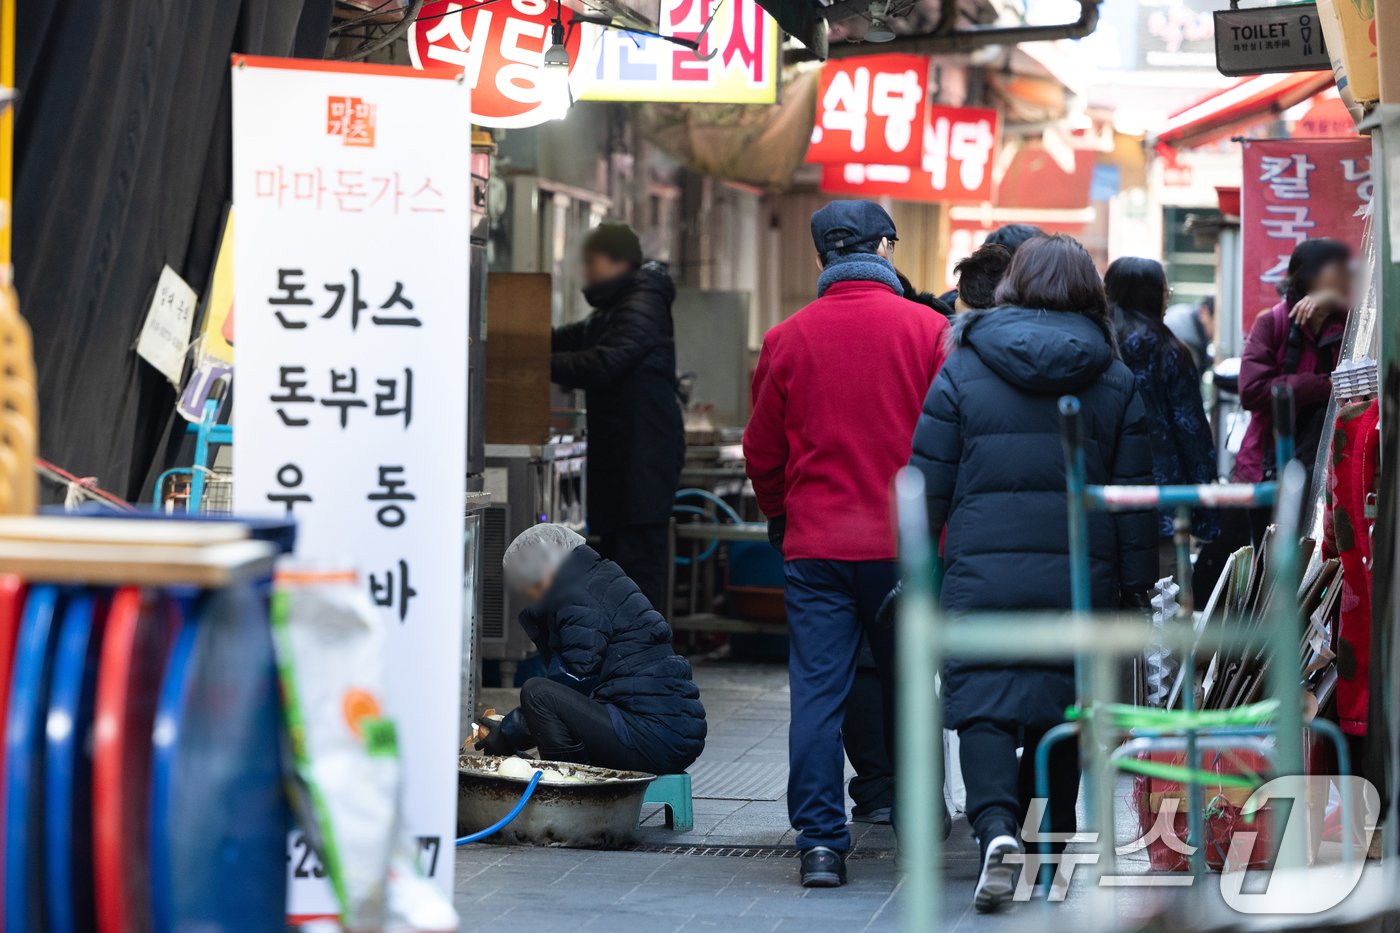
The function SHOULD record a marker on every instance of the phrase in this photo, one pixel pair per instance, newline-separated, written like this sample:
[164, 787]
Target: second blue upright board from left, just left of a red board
[68, 768]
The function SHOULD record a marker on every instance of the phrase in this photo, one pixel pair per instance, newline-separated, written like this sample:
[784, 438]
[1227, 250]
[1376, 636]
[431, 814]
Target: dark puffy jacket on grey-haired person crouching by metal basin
[600, 631]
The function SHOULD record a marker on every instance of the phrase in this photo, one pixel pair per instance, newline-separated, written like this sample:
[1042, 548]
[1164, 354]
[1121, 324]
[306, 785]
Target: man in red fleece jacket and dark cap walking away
[836, 394]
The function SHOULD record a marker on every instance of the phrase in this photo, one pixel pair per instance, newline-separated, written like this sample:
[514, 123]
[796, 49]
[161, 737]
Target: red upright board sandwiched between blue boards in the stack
[135, 648]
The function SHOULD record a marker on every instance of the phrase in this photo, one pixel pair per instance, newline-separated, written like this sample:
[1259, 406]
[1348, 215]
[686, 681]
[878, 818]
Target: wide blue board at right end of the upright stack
[219, 812]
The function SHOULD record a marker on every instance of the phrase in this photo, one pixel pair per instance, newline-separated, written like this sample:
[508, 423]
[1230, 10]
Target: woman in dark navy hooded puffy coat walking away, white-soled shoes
[989, 448]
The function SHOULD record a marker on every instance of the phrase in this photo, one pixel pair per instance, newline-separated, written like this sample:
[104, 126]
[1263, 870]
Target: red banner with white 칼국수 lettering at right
[1297, 191]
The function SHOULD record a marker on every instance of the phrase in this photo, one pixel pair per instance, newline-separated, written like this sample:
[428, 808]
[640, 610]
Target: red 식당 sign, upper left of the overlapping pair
[871, 110]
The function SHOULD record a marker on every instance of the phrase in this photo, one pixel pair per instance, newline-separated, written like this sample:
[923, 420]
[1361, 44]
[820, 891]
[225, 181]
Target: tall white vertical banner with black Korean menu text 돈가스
[352, 186]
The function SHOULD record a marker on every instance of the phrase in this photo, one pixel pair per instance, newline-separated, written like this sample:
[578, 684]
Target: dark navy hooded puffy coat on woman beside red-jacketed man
[990, 452]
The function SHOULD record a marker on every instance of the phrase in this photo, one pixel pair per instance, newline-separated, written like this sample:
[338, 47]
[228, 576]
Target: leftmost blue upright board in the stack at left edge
[24, 764]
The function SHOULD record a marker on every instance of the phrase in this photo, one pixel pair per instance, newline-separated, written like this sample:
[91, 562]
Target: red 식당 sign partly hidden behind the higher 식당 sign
[960, 149]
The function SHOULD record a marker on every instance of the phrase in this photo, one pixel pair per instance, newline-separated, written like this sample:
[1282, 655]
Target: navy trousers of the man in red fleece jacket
[829, 604]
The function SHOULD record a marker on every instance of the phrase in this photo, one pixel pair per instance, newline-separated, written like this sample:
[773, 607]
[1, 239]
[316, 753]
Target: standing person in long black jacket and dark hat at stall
[625, 358]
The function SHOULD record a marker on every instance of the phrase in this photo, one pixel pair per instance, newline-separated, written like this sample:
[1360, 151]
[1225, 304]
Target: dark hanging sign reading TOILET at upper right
[1270, 40]
